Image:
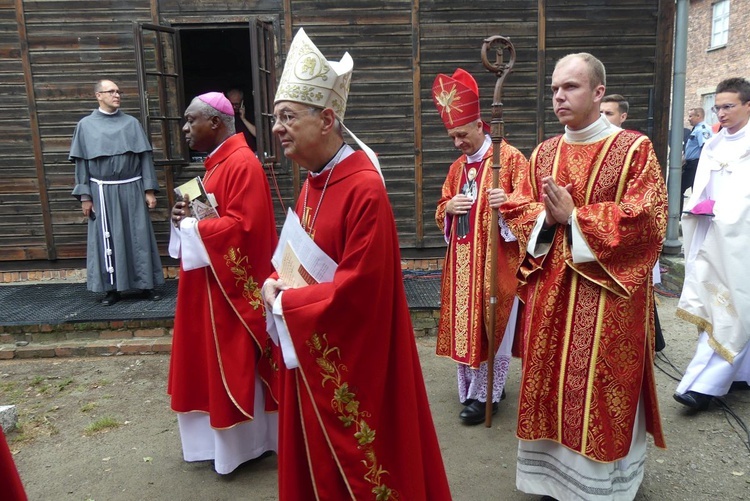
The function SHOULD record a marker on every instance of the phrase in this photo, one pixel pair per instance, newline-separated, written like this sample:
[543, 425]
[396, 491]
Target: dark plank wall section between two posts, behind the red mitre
[452, 38]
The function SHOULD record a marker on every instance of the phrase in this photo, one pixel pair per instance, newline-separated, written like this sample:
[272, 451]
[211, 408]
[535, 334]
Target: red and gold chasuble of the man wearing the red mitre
[465, 289]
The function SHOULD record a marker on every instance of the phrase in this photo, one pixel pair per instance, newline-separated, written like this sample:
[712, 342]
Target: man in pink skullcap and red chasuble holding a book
[222, 375]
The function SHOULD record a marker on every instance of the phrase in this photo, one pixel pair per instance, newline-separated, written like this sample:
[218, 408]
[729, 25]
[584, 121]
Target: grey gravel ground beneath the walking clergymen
[101, 429]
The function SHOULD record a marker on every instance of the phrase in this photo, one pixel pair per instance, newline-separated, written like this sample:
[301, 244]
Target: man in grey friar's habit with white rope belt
[116, 185]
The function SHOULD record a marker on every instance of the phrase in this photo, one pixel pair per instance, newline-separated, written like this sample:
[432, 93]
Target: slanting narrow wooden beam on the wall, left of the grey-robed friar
[35, 133]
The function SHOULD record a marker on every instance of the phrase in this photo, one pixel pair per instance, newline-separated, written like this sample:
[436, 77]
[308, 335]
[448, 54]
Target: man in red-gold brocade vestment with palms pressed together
[593, 235]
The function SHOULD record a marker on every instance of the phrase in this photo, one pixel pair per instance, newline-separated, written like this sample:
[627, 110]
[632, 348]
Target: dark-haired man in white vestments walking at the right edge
[716, 229]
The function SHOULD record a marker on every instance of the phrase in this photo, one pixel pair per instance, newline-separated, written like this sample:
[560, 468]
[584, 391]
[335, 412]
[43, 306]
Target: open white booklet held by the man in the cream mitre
[297, 259]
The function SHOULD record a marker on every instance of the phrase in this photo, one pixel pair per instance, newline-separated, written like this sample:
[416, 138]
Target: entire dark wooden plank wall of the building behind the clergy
[51, 52]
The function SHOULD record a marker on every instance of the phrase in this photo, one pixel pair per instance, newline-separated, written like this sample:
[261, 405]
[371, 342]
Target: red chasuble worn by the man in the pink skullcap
[219, 331]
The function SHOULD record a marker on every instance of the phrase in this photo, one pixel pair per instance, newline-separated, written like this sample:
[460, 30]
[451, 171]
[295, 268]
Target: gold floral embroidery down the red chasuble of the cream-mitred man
[345, 404]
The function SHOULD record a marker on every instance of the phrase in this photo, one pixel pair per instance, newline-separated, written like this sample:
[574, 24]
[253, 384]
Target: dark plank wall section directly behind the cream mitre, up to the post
[380, 109]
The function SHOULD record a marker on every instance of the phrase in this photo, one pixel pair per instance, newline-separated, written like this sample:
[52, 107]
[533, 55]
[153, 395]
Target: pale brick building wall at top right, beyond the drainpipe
[706, 67]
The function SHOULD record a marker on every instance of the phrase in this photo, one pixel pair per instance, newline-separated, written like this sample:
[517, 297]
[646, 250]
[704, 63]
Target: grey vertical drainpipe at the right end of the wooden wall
[672, 244]
